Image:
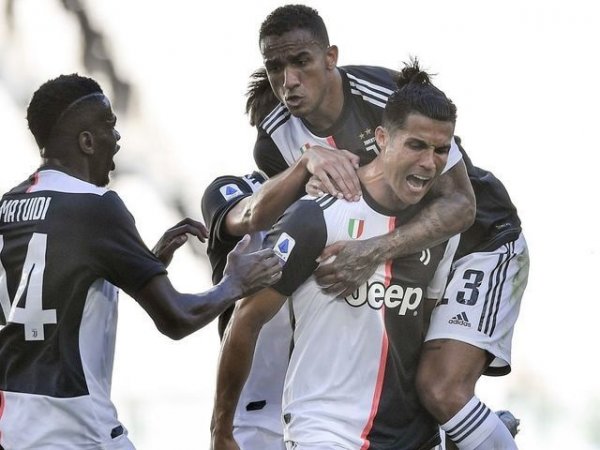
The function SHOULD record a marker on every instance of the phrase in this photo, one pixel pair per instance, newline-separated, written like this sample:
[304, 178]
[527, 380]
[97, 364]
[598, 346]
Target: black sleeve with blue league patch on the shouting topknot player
[298, 239]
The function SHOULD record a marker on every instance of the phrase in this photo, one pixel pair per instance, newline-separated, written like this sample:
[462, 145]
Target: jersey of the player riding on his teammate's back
[282, 138]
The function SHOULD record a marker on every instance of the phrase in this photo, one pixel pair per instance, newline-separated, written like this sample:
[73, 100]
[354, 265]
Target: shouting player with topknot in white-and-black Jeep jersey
[350, 380]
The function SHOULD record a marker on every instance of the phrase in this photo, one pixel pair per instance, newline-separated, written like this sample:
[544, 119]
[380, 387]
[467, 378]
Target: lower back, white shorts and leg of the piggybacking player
[472, 326]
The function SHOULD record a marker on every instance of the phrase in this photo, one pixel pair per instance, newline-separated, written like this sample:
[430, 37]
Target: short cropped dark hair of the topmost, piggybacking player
[292, 17]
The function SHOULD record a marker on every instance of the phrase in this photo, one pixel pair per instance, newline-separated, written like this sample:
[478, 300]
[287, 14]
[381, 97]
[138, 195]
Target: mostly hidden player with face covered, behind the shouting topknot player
[233, 207]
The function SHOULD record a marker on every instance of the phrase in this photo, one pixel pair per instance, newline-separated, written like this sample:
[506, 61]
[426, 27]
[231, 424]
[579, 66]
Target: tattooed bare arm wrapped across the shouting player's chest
[450, 211]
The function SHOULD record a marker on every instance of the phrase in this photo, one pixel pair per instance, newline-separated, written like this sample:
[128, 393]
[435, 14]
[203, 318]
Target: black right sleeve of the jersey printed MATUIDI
[120, 254]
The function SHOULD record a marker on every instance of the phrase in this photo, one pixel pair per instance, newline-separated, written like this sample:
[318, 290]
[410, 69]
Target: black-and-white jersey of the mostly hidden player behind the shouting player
[260, 400]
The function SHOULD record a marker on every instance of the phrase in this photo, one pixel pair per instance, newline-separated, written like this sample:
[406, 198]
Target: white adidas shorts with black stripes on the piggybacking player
[482, 301]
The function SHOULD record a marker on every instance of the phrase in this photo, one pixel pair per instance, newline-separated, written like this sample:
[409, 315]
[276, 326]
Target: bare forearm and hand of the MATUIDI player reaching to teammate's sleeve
[177, 315]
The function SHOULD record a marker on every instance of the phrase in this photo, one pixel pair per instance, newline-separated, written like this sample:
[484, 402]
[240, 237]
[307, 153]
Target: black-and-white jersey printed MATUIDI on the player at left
[65, 245]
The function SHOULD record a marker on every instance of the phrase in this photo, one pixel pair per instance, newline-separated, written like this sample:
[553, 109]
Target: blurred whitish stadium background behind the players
[524, 76]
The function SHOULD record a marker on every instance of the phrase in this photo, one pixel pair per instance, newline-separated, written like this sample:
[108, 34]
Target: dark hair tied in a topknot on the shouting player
[416, 94]
